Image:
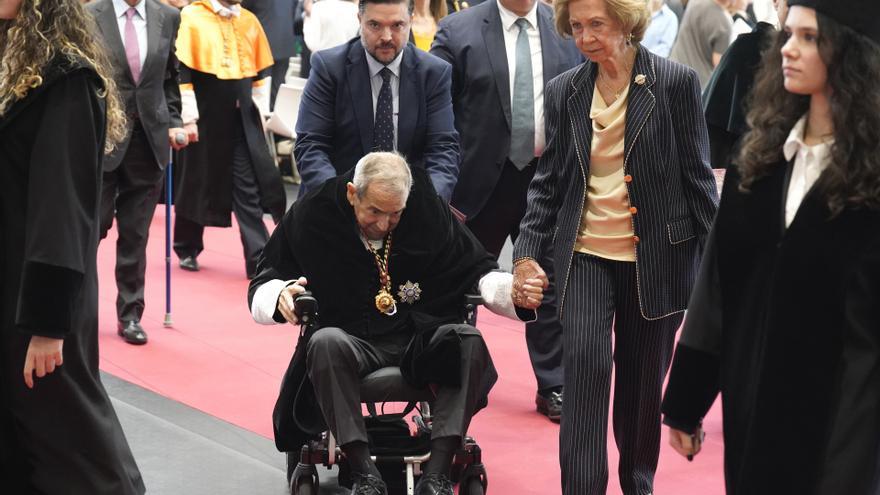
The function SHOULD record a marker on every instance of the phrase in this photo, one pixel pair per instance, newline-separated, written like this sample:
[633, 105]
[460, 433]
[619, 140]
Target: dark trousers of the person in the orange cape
[188, 234]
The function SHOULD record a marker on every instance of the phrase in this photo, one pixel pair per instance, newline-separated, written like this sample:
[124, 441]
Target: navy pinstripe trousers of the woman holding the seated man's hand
[604, 295]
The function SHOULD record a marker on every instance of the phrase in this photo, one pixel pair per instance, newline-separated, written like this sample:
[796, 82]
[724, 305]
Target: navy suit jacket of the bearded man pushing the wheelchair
[335, 124]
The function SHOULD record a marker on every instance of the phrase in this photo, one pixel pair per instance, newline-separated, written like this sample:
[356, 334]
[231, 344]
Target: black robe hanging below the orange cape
[204, 190]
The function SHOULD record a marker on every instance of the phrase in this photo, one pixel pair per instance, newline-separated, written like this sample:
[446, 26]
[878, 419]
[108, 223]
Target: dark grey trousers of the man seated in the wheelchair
[337, 361]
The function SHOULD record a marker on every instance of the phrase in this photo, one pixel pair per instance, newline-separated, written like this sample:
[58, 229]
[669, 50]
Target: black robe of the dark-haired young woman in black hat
[785, 324]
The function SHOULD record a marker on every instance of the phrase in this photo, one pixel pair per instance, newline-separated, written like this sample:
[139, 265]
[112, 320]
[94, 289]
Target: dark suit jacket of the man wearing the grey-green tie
[473, 42]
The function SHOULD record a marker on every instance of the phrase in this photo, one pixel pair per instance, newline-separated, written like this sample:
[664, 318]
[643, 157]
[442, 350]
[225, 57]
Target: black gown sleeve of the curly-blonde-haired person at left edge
[64, 186]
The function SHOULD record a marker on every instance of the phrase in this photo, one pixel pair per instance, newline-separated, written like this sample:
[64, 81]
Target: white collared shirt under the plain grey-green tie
[511, 32]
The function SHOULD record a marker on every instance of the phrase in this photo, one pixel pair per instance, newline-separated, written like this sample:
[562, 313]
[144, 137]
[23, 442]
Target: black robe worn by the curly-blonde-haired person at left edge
[63, 436]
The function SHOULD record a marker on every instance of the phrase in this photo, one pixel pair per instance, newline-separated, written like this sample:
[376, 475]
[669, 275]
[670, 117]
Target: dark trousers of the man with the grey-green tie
[500, 218]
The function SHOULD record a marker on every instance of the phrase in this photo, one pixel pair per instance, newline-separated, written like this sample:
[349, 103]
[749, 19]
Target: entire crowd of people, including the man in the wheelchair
[429, 133]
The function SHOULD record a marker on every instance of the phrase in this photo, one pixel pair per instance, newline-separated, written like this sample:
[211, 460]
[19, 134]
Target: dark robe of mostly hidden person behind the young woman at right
[725, 95]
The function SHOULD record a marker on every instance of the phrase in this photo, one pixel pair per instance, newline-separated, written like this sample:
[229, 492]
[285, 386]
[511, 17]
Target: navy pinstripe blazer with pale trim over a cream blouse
[666, 152]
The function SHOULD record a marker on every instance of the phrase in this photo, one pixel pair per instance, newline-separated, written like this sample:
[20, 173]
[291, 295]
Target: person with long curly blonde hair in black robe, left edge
[60, 112]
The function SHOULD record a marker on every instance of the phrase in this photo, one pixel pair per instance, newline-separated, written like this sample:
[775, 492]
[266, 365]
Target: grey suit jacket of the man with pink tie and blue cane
[155, 99]
